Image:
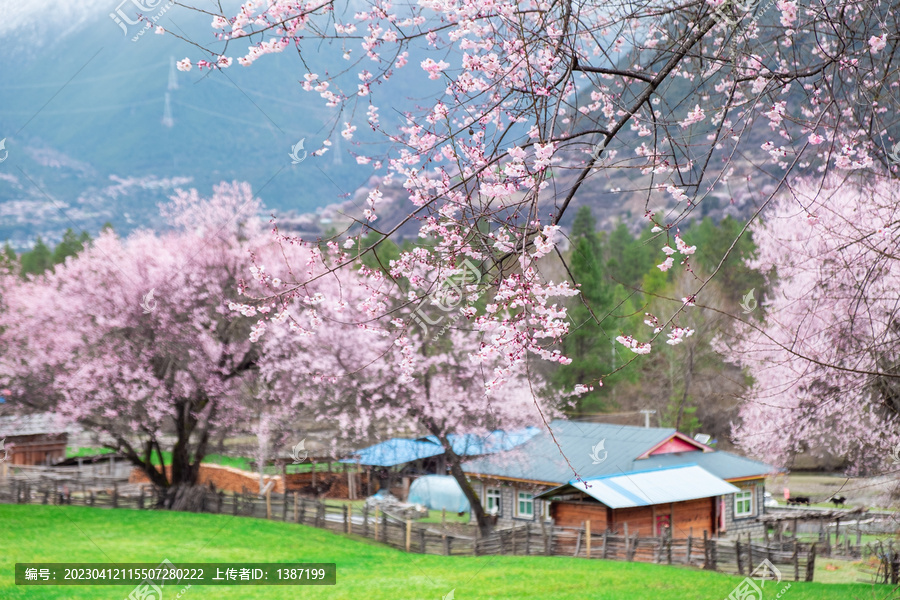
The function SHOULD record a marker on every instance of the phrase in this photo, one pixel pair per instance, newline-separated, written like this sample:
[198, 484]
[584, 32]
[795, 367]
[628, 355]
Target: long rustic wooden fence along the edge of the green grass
[795, 560]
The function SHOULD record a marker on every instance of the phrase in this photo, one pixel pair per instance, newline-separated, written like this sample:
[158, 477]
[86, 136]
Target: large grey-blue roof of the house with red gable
[539, 459]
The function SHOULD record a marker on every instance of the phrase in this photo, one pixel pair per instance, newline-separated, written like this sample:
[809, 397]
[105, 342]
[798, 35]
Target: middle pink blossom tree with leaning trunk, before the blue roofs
[358, 365]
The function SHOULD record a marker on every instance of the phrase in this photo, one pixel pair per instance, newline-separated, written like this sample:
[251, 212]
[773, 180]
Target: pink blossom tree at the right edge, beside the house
[824, 361]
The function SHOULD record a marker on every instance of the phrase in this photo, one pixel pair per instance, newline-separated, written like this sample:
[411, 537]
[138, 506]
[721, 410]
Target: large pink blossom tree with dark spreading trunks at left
[134, 340]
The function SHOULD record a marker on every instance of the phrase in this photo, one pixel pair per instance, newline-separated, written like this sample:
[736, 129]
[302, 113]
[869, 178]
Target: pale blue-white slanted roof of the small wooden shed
[644, 488]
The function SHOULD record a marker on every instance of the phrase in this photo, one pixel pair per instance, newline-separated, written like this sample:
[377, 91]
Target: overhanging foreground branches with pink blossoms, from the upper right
[525, 103]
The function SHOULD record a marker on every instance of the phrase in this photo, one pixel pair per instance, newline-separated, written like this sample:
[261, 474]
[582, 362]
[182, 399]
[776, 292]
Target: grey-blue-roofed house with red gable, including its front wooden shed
[512, 484]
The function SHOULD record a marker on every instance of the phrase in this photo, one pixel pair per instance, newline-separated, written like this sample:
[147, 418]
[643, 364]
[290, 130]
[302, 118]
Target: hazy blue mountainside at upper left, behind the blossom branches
[100, 125]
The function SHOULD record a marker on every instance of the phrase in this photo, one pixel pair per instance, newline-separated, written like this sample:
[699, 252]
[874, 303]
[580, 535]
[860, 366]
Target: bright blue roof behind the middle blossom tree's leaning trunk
[398, 451]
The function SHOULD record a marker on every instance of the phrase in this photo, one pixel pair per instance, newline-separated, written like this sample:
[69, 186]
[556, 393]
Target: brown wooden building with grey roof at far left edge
[28, 440]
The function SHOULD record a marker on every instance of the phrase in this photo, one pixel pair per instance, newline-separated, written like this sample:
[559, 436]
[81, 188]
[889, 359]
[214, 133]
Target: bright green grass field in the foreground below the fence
[365, 570]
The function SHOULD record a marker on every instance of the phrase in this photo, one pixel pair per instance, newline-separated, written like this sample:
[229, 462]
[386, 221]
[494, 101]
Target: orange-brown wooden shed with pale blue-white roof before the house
[671, 500]
